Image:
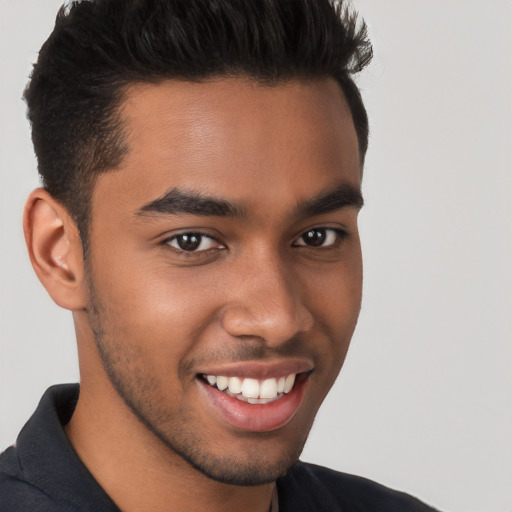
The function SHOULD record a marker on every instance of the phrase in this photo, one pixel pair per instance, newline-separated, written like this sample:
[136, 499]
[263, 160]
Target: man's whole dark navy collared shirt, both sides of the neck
[42, 473]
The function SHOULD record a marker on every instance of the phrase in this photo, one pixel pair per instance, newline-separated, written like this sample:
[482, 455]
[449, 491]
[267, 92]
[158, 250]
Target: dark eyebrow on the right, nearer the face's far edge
[343, 196]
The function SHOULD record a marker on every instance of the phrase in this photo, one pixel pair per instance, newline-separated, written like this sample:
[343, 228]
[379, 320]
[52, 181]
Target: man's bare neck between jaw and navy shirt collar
[137, 470]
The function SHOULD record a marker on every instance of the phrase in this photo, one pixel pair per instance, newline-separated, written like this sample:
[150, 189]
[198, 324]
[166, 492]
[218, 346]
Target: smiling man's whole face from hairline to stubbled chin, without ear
[225, 252]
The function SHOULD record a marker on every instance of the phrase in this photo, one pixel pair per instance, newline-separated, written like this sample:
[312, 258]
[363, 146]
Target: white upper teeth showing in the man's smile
[253, 389]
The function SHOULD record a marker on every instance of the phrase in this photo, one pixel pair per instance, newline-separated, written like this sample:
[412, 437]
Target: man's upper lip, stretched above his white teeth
[260, 369]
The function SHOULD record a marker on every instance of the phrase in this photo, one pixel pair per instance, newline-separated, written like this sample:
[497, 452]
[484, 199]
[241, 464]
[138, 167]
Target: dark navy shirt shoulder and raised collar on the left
[42, 472]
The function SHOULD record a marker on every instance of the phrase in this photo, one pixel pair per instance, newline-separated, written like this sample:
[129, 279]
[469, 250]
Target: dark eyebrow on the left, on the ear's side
[176, 201]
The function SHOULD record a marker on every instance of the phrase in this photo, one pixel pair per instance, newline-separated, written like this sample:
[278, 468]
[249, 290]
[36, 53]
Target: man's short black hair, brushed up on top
[99, 47]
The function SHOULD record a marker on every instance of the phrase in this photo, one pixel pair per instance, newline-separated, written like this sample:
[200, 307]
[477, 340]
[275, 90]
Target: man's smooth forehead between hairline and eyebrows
[234, 139]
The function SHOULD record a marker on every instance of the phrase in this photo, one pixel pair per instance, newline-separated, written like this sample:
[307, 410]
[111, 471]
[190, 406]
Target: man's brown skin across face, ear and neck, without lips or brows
[150, 317]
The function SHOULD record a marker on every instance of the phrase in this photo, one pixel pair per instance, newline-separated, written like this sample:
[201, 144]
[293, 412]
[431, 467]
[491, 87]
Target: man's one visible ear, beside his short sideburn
[55, 249]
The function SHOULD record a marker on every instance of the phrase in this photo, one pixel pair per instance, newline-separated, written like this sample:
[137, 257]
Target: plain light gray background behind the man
[424, 401]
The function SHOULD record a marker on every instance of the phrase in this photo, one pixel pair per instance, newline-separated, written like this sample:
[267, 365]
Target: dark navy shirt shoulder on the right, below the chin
[312, 487]
